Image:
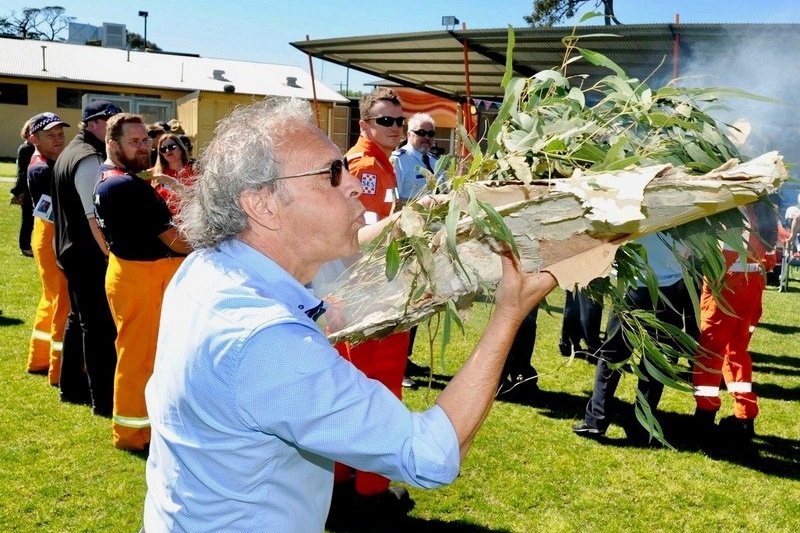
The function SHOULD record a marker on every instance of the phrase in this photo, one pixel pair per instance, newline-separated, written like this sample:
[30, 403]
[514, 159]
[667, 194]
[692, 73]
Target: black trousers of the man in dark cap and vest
[88, 357]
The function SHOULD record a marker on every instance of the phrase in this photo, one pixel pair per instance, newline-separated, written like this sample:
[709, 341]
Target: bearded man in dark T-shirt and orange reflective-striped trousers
[145, 252]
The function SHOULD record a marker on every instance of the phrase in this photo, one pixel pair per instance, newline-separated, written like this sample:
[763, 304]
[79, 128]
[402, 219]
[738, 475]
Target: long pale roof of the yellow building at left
[92, 64]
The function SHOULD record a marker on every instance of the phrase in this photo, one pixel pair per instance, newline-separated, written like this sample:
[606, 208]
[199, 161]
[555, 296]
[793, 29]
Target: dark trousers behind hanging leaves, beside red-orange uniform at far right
[615, 350]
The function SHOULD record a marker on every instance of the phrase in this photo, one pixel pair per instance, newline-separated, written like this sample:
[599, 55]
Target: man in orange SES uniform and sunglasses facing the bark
[384, 359]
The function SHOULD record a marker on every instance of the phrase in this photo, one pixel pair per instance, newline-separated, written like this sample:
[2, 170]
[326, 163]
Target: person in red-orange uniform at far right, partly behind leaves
[725, 335]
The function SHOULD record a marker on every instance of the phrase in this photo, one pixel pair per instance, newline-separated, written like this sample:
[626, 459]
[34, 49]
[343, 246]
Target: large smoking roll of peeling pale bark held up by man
[570, 227]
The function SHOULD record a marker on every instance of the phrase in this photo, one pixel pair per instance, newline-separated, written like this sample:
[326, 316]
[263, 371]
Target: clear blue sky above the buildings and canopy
[261, 30]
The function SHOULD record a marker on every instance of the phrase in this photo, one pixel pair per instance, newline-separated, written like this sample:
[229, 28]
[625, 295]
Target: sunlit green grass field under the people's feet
[526, 472]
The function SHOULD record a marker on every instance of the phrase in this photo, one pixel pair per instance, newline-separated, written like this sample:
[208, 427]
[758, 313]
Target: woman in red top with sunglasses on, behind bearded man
[173, 171]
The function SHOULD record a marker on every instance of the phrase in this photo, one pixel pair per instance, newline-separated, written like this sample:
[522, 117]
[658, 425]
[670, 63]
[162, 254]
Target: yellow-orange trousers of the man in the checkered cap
[50, 320]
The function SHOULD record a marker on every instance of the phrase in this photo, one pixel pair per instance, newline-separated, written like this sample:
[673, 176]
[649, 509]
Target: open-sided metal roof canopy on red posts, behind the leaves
[435, 61]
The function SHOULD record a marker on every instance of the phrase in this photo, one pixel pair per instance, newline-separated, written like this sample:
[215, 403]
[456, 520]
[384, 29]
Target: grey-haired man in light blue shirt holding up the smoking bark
[248, 402]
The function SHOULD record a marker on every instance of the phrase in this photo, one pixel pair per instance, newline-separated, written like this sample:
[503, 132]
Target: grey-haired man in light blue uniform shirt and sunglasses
[414, 163]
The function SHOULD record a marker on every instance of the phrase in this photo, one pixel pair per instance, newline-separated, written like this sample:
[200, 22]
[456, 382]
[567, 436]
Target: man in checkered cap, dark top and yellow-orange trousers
[47, 136]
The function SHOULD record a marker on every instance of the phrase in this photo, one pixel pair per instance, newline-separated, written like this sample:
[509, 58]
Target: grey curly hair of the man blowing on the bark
[240, 157]
